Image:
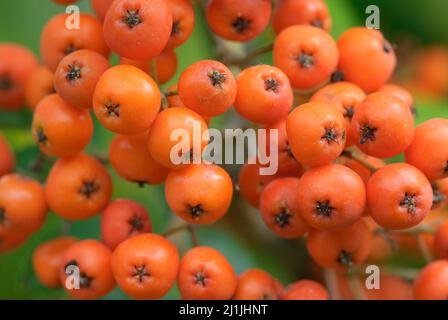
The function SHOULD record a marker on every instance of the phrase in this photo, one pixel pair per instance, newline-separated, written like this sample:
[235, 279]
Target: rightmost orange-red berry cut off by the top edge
[307, 12]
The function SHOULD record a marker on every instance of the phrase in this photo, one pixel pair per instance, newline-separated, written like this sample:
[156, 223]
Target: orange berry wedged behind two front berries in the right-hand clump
[343, 95]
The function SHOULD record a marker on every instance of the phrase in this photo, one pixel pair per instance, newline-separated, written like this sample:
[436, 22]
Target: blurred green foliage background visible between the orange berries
[241, 236]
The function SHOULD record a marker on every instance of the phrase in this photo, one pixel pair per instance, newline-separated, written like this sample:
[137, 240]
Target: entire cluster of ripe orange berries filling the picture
[332, 186]
